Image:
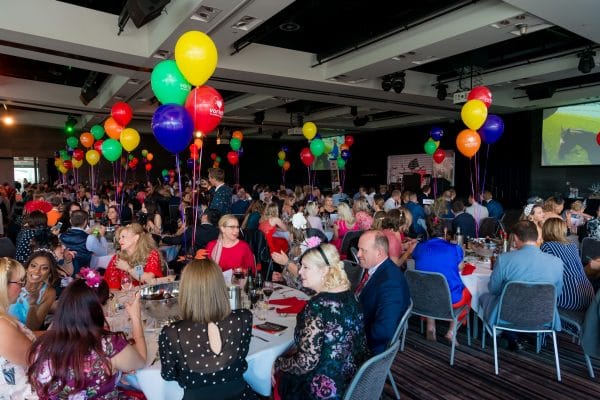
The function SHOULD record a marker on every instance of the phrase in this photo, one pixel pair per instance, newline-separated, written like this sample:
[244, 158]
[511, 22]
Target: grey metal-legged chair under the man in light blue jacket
[536, 317]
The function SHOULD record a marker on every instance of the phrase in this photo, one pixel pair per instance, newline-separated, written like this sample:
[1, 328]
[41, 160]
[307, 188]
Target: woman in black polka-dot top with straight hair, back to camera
[205, 352]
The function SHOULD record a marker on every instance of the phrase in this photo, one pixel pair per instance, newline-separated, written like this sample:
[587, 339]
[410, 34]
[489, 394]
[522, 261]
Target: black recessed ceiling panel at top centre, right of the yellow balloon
[327, 28]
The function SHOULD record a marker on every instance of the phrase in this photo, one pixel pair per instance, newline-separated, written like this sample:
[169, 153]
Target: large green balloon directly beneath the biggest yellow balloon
[168, 83]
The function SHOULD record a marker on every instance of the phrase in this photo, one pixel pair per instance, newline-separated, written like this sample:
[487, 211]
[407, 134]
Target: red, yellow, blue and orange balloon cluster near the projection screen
[481, 126]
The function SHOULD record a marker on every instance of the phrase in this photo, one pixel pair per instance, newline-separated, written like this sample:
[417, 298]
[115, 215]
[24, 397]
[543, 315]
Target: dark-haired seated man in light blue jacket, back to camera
[527, 264]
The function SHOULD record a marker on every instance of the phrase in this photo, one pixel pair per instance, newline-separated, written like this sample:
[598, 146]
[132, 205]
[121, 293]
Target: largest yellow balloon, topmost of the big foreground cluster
[196, 57]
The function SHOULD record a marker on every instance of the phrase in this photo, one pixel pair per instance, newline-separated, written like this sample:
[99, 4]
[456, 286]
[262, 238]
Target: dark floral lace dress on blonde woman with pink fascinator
[330, 346]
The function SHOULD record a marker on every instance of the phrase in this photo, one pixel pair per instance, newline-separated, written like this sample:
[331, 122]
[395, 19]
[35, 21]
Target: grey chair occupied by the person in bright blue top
[432, 299]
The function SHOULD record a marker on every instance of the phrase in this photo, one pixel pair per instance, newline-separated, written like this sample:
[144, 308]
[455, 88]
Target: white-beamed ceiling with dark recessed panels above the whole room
[282, 63]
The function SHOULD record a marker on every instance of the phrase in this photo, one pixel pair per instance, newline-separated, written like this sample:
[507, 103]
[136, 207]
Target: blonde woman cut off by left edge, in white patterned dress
[16, 338]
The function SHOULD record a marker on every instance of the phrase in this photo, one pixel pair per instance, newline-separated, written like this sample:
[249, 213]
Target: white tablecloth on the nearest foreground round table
[260, 358]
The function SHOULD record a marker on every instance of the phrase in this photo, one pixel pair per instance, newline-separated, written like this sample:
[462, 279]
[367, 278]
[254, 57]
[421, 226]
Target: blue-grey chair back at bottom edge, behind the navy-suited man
[370, 378]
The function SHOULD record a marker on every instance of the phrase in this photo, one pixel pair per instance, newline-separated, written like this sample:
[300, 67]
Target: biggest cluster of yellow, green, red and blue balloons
[185, 110]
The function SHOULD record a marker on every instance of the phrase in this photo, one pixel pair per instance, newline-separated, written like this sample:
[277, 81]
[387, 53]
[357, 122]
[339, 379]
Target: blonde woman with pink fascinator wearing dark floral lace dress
[329, 339]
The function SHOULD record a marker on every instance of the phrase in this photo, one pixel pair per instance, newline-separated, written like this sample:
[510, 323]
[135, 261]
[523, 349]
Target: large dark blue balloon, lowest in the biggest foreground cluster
[173, 127]
